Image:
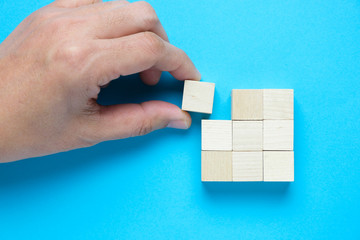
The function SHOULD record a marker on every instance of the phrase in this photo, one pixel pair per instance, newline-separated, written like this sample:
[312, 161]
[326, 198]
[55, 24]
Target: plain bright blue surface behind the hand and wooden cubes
[149, 187]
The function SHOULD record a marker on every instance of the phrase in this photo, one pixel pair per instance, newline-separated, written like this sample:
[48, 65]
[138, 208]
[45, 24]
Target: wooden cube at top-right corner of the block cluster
[278, 104]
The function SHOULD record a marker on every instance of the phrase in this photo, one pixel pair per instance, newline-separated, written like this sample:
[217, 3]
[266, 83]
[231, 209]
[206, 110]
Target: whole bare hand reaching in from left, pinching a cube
[55, 62]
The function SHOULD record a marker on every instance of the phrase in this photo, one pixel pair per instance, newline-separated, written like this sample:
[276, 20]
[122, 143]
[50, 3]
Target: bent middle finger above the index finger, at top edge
[129, 19]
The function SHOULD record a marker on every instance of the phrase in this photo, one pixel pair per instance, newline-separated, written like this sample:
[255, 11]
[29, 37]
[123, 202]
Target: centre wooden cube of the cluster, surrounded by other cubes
[247, 135]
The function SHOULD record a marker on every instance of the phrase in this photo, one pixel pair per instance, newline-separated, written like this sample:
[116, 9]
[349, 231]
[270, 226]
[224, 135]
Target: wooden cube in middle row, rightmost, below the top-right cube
[278, 134]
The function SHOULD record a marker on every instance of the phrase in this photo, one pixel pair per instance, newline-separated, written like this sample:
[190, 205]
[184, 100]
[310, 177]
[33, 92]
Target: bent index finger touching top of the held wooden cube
[139, 52]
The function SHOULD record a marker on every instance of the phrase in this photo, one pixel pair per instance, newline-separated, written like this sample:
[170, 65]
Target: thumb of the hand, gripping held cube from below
[128, 120]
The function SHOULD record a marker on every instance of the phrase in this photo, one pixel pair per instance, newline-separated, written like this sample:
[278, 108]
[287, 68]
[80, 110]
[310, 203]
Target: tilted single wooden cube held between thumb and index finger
[198, 96]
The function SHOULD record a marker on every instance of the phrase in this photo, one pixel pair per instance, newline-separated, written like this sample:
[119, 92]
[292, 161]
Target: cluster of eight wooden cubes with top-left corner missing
[258, 141]
